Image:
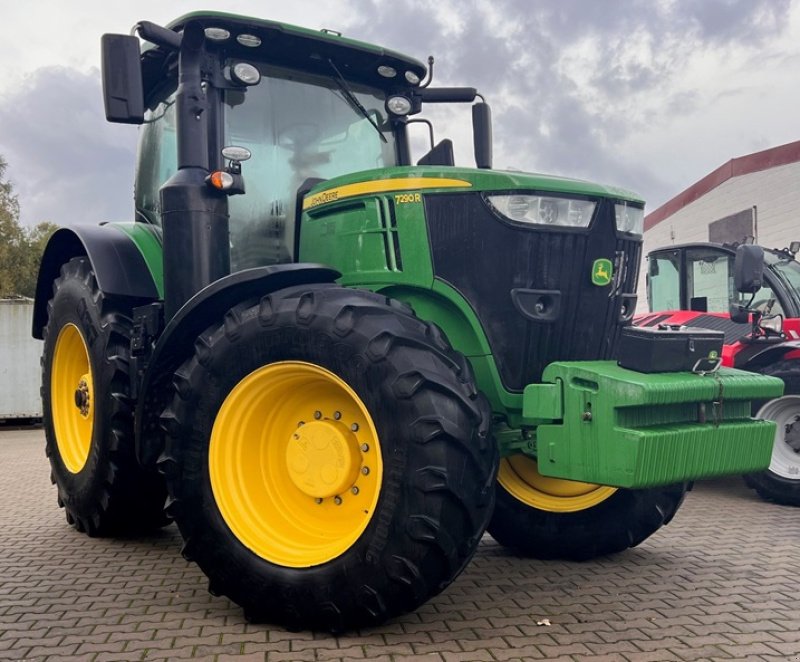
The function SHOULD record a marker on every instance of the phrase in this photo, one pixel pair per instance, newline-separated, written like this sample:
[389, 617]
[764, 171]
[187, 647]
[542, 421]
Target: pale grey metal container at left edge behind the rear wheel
[20, 373]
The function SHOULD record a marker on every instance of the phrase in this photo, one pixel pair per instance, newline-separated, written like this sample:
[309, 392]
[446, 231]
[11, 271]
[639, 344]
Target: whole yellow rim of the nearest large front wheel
[295, 464]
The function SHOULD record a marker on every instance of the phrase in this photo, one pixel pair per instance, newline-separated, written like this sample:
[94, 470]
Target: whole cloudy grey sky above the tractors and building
[650, 95]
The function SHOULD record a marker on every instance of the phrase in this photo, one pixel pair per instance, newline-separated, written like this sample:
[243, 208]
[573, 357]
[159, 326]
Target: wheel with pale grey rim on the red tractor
[780, 483]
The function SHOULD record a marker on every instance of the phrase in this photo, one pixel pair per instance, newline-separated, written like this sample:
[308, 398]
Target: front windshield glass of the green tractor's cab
[298, 127]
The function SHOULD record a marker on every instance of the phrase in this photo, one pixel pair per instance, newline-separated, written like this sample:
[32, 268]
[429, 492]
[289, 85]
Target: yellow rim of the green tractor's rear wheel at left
[72, 398]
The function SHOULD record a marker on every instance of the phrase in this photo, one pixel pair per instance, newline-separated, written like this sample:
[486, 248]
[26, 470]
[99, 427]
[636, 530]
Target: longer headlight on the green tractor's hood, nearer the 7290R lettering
[540, 210]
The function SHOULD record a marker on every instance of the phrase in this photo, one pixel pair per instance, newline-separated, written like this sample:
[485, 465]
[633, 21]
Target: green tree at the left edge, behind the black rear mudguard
[20, 248]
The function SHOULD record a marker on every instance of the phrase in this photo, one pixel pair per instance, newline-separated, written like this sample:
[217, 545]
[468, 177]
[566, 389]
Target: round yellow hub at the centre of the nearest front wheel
[323, 458]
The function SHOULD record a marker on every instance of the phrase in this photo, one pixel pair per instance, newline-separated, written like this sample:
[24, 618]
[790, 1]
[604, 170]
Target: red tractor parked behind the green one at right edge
[694, 285]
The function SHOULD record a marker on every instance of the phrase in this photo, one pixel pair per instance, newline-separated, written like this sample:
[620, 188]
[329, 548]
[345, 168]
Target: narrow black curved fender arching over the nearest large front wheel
[176, 343]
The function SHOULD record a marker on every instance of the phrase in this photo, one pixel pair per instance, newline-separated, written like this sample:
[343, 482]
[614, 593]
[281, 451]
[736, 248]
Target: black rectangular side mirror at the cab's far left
[123, 93]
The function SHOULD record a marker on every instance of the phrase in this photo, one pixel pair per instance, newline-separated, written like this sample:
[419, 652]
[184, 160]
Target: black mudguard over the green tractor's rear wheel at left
[119, 268]
